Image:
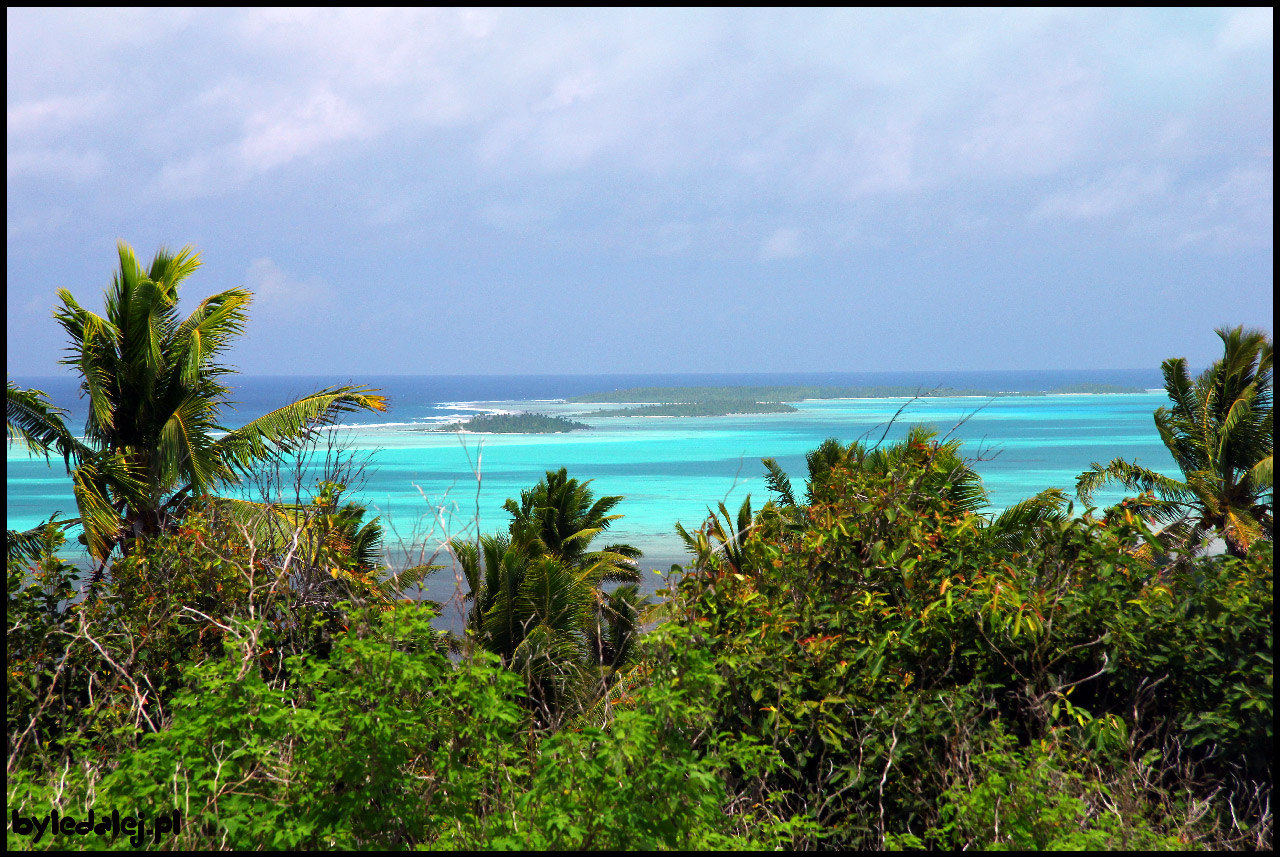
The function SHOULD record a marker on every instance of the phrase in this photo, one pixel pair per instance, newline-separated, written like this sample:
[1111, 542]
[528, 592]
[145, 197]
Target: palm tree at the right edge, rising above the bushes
[1219, 432]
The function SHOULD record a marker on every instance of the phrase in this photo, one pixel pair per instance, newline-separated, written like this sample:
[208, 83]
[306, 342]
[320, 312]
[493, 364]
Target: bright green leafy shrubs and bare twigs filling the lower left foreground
[191, 682]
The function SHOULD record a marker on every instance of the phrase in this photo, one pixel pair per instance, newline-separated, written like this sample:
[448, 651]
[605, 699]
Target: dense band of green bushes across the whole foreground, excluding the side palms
[871, 668]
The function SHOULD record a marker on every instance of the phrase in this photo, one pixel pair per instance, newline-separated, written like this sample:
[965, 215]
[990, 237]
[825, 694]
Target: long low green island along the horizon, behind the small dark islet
[721, 401]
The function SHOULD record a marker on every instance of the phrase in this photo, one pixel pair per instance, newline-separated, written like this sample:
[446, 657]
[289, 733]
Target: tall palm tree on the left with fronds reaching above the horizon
[154, 389]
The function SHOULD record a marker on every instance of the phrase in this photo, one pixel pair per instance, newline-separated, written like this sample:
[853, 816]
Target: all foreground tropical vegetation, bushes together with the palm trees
[872, 659]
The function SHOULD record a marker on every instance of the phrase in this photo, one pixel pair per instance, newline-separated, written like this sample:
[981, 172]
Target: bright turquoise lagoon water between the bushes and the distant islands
[429, 485]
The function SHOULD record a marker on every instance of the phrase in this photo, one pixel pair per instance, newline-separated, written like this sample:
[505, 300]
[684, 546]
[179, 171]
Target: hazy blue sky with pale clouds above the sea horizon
[611, 191]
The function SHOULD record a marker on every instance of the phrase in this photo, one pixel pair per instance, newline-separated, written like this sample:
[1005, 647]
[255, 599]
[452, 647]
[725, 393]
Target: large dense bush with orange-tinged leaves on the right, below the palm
[874, 636]
